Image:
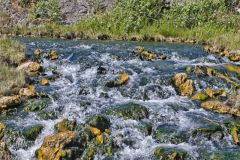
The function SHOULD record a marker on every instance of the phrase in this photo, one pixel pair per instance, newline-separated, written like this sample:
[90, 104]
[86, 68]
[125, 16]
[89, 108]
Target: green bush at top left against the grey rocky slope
[48, 10]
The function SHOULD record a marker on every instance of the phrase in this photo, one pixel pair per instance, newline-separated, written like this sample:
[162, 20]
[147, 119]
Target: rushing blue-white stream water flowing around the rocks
[149, 85]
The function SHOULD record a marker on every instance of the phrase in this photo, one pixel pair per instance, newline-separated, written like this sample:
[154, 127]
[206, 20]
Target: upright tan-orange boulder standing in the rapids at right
[184, 85]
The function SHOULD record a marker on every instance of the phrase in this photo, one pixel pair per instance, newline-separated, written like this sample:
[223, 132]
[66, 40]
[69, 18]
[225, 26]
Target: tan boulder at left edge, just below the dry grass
[9, 101]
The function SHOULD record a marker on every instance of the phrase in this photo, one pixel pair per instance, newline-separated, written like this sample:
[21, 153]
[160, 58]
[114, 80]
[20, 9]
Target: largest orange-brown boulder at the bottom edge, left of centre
[63, 145]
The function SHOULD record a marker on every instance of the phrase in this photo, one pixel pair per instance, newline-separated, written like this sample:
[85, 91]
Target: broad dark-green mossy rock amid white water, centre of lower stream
[130, 111]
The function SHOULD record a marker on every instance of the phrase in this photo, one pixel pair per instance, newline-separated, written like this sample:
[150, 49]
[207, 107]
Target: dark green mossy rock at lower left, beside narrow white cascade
[31, 133]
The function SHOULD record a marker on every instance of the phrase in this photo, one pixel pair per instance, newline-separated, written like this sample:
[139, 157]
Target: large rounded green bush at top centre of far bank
[134, 14]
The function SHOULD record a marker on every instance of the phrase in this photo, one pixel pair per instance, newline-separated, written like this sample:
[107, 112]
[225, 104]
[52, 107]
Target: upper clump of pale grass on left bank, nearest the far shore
[11, 51]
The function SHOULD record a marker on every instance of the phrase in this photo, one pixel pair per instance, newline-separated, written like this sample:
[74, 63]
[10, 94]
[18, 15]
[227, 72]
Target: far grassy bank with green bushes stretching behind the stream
[212, 21]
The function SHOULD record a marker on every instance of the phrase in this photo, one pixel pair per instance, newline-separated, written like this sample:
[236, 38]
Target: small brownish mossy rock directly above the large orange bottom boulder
[66, 125]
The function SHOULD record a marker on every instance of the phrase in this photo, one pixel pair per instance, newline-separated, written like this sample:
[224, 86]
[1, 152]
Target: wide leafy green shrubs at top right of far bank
[201, 12]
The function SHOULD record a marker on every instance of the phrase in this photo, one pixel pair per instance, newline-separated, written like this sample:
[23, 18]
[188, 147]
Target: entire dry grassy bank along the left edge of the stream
[11, 54]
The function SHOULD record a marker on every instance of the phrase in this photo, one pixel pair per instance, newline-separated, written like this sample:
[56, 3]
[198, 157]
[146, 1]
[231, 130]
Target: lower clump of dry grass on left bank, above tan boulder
[10, 78]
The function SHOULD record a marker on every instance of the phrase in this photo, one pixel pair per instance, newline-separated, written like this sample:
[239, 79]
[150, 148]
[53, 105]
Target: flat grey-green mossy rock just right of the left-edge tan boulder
[36, 105]
